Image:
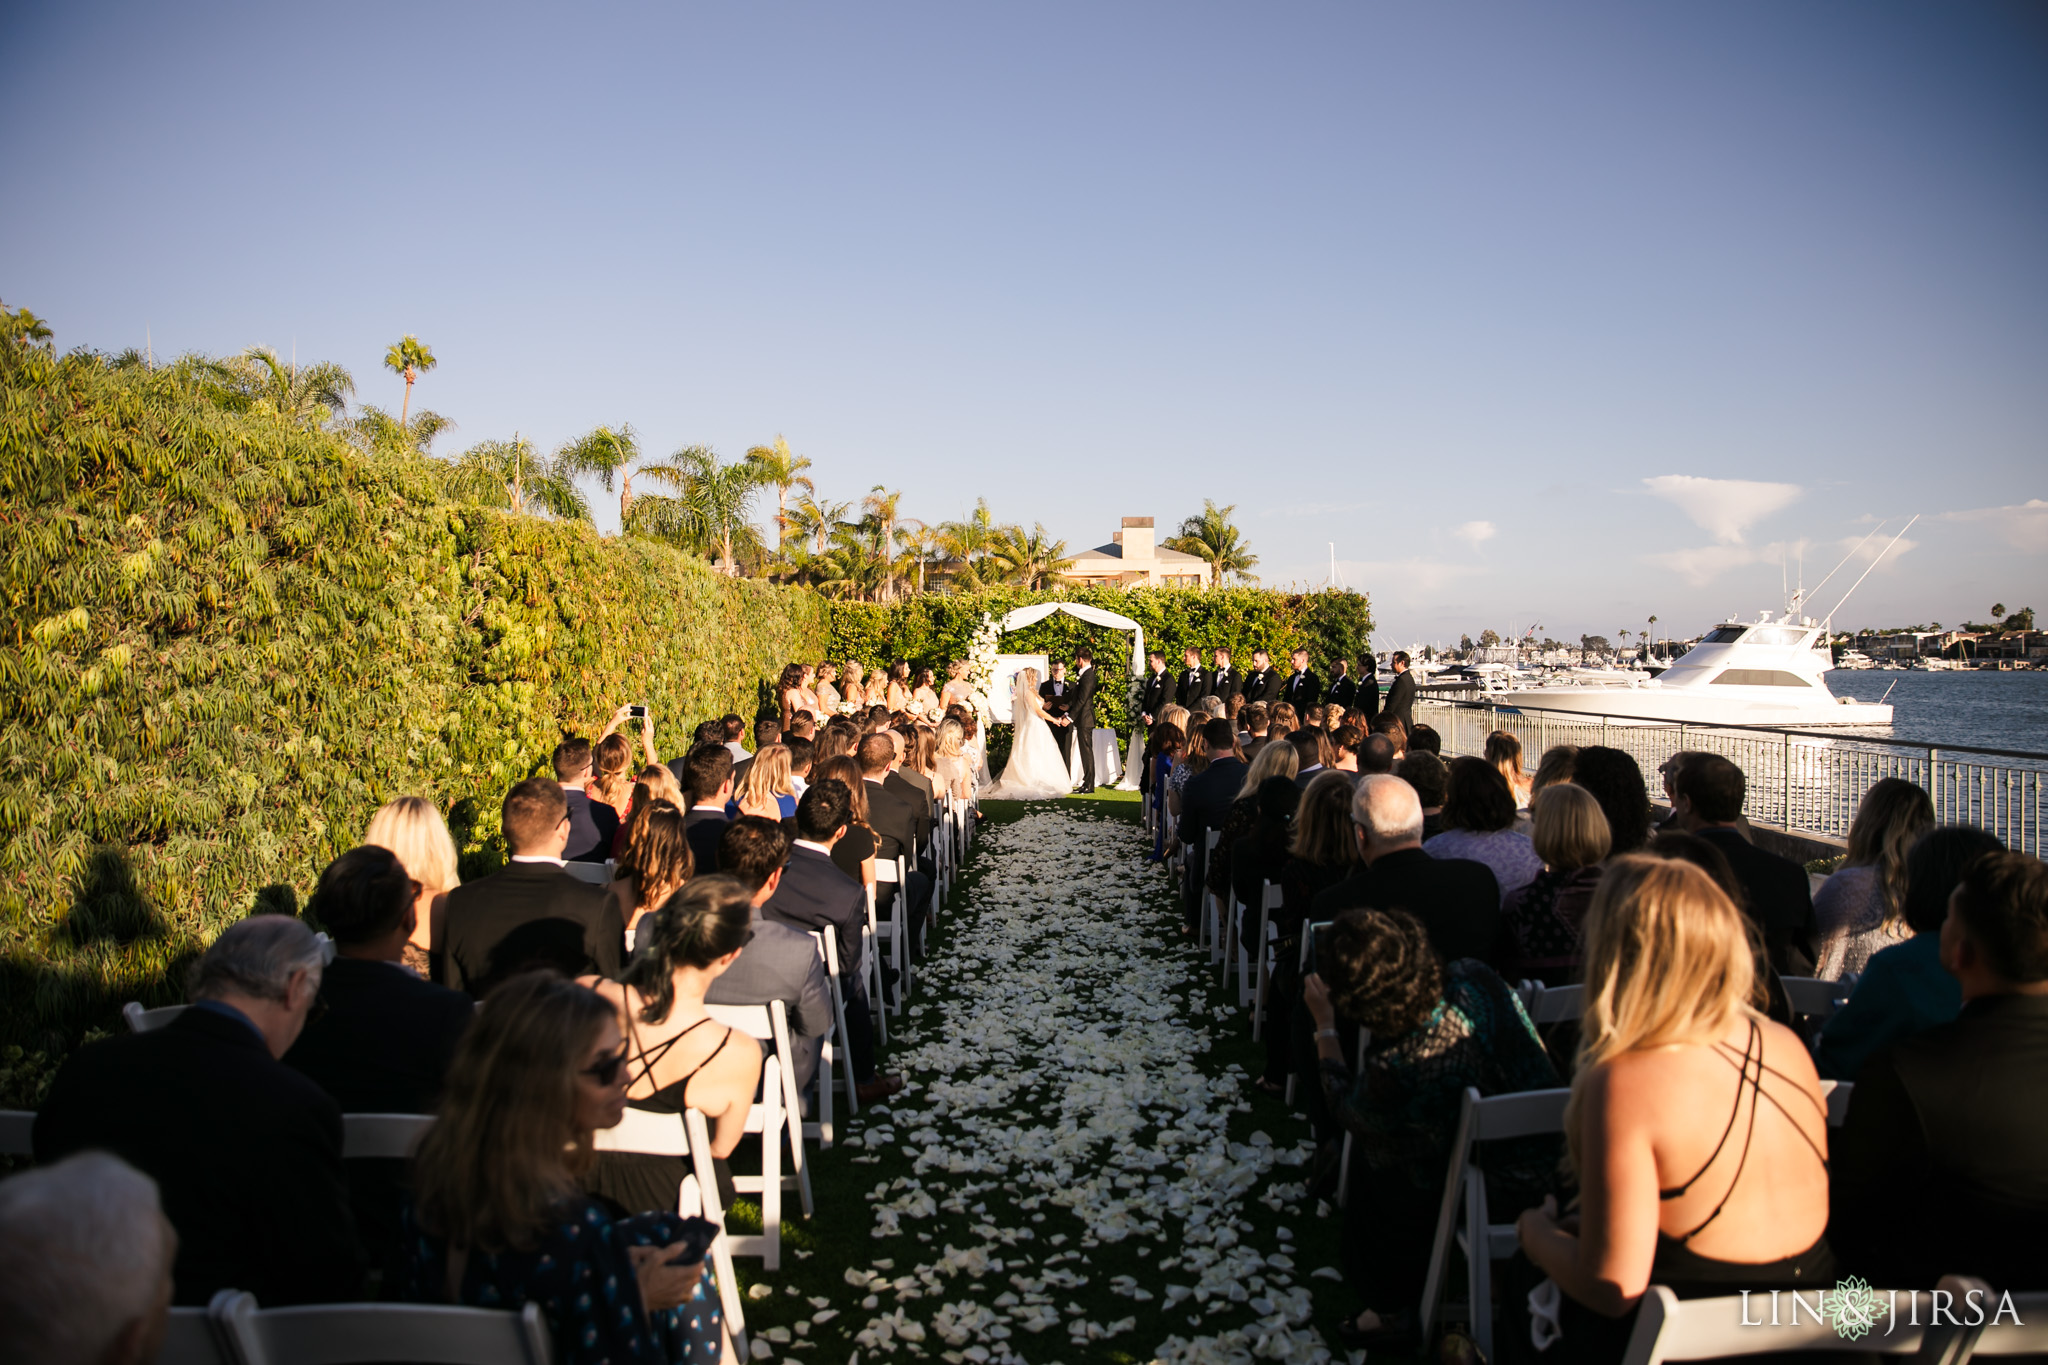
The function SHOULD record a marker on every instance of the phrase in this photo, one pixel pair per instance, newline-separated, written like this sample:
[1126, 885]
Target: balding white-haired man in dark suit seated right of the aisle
[1459, 901]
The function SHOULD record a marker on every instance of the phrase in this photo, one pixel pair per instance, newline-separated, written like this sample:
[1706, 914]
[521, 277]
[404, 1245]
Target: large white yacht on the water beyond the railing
[1764, 672]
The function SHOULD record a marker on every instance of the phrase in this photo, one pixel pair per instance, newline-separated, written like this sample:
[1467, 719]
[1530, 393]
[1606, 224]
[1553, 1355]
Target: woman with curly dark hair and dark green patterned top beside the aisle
[1437, 1030]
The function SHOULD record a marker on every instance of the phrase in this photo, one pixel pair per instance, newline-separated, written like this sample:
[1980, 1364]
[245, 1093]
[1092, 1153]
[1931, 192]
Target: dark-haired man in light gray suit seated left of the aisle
[779, 963]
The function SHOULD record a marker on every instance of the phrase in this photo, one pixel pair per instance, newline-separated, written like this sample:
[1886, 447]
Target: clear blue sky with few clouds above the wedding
[1541, 314]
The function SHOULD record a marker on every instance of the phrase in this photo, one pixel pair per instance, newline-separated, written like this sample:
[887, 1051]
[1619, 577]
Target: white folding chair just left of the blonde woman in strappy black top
[1480, 1239]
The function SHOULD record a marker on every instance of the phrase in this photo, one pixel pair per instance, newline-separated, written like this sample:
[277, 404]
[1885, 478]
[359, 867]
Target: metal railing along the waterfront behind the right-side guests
[1801, 781]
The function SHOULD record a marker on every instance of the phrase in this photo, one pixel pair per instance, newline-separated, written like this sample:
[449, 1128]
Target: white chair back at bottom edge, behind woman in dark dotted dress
[364, 1333]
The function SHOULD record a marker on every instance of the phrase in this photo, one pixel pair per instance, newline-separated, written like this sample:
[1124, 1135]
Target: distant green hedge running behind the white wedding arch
[1240, 619]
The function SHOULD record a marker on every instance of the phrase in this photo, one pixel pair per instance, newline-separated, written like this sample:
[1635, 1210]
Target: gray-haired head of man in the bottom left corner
[85, 1266]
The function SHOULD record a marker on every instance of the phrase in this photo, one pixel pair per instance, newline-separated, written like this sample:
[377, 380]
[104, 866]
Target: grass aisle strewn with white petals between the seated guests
[1074, 1170]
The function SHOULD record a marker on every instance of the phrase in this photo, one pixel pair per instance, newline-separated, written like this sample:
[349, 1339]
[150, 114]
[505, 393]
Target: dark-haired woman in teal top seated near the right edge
[1906, 989]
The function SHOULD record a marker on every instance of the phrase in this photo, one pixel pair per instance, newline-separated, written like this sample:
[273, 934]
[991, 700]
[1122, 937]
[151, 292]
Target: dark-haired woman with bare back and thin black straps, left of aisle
[677, 1055]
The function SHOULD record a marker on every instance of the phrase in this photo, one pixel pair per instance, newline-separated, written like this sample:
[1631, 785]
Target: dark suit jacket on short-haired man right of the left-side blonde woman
[523, 918]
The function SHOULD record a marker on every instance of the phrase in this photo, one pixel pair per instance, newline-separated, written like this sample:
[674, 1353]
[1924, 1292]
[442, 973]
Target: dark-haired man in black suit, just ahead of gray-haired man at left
[382, 1039]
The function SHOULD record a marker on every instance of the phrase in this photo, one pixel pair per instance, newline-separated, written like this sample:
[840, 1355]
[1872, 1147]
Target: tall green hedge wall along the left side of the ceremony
[232, 637]
